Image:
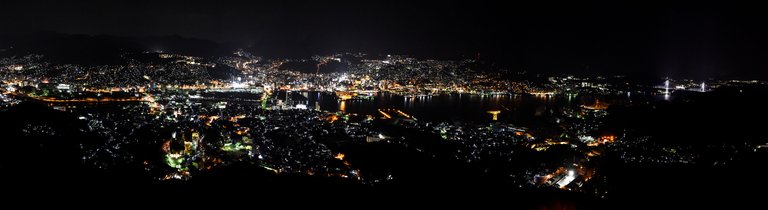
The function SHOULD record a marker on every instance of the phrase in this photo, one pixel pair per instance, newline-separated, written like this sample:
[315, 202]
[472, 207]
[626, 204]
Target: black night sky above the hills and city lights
[677, 38]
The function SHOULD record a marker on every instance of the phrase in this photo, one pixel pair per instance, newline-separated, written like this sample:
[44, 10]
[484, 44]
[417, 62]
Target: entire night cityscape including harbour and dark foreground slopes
[168, 120]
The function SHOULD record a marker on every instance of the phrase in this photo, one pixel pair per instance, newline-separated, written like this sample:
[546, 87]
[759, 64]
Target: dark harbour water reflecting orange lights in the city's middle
[515, 108]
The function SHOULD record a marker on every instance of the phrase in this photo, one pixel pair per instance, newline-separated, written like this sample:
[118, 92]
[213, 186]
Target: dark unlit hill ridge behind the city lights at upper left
[104, 49]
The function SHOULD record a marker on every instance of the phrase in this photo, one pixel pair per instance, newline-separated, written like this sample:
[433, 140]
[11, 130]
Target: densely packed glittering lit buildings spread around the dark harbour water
[173, 116]
